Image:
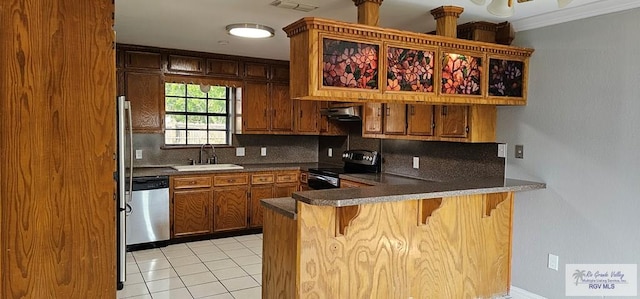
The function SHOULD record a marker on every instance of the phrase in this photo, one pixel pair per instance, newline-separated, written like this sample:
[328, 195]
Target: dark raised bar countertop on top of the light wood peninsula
[415, 190]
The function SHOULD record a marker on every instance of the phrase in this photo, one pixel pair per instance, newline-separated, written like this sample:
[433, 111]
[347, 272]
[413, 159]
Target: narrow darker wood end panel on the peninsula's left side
[279, 256]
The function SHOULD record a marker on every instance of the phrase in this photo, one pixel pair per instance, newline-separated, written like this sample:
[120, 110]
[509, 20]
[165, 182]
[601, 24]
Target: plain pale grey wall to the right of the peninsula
[581, 135]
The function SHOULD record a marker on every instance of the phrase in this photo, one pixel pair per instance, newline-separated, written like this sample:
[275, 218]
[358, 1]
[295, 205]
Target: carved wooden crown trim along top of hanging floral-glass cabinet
[311, 23]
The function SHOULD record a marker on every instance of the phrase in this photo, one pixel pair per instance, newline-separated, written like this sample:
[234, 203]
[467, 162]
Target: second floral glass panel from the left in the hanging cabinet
[410, 70]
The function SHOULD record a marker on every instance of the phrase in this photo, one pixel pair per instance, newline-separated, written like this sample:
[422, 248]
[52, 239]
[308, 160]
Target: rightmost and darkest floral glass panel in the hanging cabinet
[506, 78]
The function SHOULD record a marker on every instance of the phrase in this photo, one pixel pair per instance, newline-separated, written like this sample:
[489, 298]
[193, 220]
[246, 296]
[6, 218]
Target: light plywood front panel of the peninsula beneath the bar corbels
[384, 253]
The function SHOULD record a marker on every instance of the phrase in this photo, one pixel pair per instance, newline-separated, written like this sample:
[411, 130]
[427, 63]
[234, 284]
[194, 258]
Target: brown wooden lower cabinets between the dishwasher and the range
[207, 204]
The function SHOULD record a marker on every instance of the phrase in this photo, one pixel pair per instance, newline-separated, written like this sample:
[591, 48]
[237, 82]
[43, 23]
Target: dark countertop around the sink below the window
[167, 170]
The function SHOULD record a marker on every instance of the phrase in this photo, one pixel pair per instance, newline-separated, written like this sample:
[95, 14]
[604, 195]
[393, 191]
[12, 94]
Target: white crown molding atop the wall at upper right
[574, 13]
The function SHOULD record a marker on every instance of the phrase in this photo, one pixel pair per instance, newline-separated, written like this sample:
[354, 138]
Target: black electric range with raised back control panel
[355, 161]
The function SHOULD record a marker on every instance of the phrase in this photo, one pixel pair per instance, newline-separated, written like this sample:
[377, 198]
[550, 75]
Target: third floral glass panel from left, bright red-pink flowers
[461, 74]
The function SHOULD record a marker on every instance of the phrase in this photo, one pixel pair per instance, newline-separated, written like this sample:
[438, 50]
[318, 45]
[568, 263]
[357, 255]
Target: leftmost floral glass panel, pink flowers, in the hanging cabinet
[349, 64]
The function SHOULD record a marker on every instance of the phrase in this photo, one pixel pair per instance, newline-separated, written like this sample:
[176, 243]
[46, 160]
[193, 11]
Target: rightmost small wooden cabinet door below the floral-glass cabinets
[452, 121]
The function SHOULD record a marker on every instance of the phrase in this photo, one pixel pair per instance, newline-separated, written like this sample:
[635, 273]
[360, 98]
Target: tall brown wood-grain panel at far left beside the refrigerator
[57, 212]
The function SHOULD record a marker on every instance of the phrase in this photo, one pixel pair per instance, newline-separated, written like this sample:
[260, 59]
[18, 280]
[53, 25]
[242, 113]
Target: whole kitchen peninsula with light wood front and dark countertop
[422, 240]
